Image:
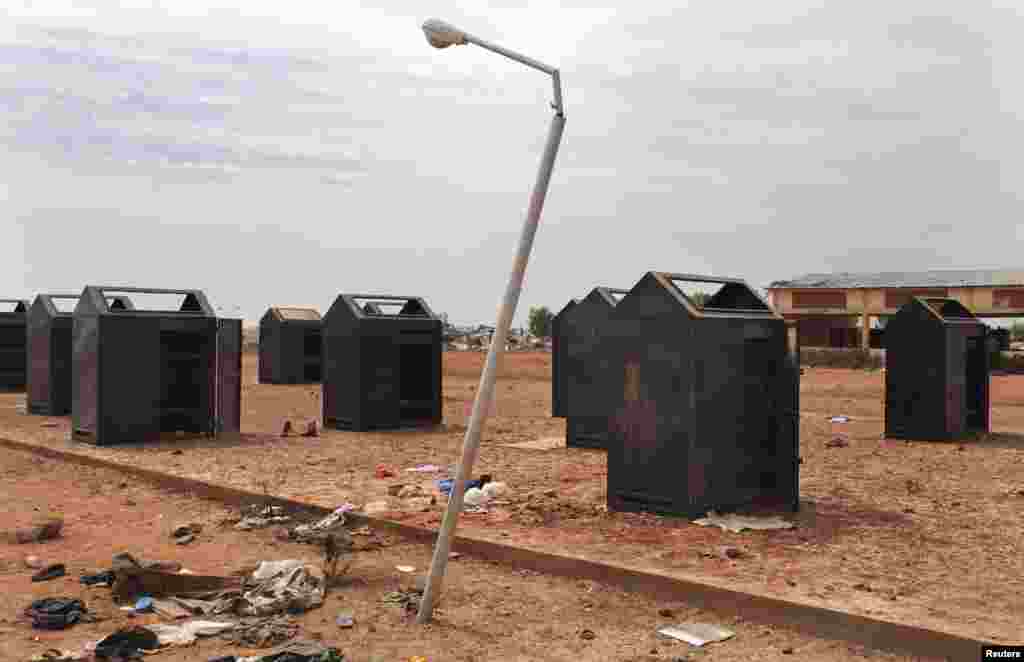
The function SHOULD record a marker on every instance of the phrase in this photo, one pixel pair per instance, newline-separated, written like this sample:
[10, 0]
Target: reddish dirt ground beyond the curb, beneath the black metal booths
[925, 533]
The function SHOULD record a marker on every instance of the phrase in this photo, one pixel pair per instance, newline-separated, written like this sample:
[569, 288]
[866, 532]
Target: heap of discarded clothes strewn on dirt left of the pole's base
[250, 609]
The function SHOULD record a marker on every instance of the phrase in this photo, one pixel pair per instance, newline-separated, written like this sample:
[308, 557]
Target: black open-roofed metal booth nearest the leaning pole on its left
[382, 366]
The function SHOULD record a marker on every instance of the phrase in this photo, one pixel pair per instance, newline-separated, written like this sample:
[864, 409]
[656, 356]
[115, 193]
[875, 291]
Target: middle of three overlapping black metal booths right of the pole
[581, 337]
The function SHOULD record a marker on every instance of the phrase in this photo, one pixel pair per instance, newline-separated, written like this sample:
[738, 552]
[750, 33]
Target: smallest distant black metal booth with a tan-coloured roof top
[290, 347]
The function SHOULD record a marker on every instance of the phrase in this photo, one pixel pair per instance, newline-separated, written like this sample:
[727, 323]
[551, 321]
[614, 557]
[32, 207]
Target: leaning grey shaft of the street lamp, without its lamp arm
[486, 392]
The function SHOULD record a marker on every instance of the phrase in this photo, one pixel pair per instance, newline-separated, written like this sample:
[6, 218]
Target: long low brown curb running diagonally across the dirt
[817, 622]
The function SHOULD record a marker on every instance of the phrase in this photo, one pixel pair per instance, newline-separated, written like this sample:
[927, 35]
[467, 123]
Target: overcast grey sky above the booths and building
[286, 152]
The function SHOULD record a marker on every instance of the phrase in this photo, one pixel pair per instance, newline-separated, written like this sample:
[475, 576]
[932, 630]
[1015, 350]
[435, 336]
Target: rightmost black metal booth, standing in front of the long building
[937, 371]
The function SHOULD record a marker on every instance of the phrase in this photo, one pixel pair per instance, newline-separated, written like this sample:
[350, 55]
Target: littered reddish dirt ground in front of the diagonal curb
[488, 612]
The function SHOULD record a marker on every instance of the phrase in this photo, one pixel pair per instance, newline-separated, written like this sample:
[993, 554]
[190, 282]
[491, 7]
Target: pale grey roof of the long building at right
[961, 278]
